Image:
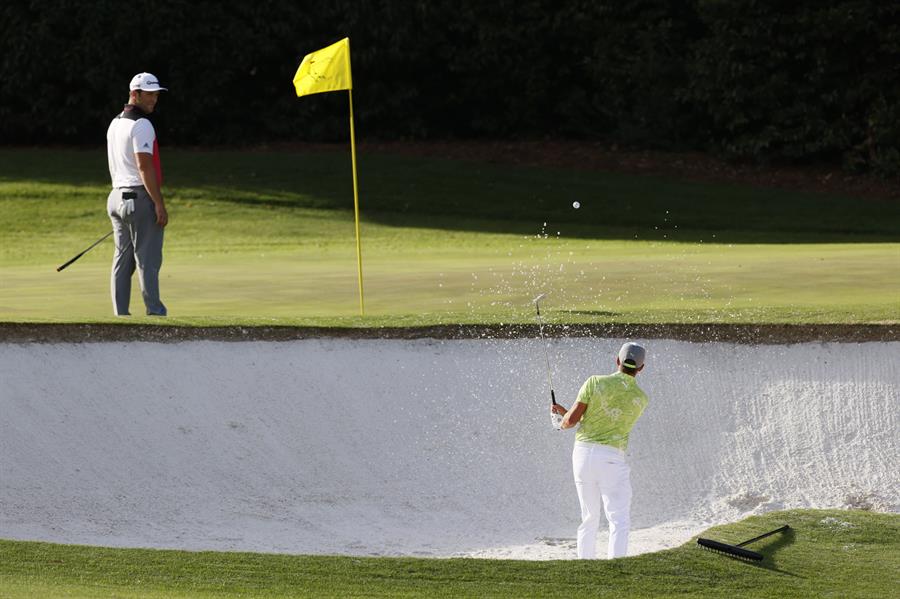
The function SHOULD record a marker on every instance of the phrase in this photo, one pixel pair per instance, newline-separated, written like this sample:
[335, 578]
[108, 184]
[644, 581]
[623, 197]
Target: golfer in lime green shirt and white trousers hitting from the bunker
[605, 411]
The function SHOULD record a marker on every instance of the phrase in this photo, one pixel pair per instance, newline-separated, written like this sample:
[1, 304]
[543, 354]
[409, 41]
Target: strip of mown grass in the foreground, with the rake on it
[828, 553]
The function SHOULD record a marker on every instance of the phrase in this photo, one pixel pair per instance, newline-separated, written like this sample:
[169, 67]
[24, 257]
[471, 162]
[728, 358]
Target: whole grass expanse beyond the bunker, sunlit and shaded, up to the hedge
[268, 238]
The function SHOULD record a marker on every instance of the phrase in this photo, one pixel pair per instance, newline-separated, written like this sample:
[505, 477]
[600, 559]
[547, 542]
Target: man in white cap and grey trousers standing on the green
[135, 205]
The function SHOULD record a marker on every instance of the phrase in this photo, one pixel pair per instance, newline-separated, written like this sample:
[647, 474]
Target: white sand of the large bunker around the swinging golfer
[423, 448]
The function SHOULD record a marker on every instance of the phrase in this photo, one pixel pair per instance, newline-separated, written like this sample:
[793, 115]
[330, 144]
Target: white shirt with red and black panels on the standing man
[126, 136]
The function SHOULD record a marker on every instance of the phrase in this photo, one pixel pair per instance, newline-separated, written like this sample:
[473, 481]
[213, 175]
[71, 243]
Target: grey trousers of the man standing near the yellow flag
[138, 246]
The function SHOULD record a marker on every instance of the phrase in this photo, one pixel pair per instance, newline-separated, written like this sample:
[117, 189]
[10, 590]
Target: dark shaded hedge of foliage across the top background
[754, 79]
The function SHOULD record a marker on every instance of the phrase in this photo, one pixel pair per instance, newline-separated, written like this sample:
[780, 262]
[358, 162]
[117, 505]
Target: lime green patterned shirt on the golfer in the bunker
[614, 403]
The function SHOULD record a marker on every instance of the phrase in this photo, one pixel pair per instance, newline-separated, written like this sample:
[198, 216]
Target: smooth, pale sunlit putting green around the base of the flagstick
[587, 281]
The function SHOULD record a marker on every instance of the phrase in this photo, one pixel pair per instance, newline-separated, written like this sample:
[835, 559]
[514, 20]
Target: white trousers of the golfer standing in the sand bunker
[603, 482]
